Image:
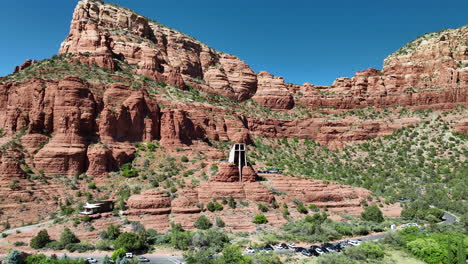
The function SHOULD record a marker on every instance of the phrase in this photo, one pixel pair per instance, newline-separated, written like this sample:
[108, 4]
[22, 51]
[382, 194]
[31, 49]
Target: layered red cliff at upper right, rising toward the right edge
[429, 71]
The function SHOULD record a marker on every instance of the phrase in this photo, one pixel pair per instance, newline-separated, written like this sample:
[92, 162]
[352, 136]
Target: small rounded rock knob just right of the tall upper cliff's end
[272, 92]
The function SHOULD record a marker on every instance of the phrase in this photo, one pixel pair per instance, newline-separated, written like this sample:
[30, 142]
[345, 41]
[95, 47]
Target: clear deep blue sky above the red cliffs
[301, 40]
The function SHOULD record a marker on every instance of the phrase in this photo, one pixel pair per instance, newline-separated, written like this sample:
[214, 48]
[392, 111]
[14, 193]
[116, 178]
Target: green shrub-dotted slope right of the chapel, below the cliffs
[420, 162]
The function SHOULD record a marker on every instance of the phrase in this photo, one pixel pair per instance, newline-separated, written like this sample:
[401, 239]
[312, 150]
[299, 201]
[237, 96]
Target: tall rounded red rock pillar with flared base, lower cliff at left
[74, 114]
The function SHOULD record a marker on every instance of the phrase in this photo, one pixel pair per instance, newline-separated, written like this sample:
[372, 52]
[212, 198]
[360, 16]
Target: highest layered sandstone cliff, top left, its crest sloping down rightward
[102, 32]
